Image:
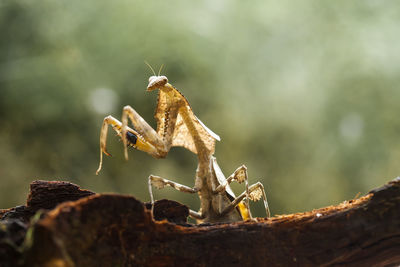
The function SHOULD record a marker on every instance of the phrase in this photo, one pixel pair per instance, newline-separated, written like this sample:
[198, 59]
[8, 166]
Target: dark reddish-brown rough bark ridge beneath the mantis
[116, 230]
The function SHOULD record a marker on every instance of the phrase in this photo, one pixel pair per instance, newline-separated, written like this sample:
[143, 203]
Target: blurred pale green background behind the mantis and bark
[305, 93]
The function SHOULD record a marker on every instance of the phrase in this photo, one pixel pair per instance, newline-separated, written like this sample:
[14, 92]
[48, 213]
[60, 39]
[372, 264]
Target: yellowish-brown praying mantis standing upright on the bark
[178, 126]
